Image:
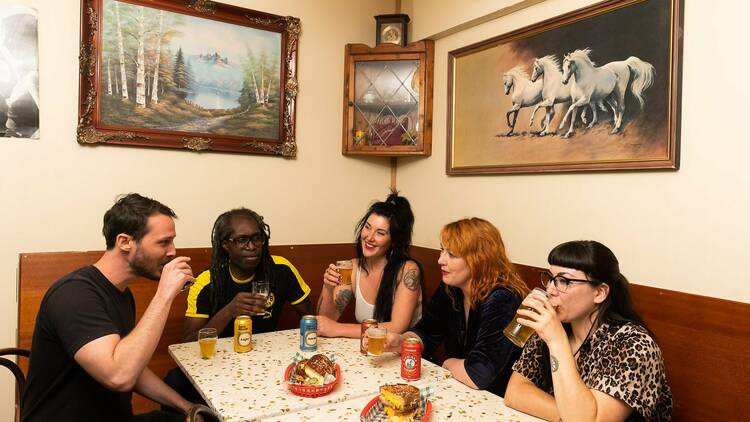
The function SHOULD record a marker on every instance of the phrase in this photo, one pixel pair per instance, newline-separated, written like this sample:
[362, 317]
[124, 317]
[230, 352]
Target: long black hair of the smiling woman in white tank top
[401, 219]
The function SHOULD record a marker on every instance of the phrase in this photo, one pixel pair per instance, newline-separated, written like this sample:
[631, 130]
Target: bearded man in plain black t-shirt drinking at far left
[88, 355]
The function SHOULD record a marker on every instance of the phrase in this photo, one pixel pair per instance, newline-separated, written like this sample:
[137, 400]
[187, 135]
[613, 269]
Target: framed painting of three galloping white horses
[594, 89]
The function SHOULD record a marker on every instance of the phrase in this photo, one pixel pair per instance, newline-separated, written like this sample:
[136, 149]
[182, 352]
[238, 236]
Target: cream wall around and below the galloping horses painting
[684, 230]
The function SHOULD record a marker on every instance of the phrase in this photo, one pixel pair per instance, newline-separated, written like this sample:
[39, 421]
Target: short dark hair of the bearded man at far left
[129, 215]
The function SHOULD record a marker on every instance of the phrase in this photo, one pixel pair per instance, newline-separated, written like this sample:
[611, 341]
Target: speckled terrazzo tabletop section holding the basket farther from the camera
[250, 386]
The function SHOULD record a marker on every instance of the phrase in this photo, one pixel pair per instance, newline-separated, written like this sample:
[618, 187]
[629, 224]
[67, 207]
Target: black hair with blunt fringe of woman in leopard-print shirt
[600, 265]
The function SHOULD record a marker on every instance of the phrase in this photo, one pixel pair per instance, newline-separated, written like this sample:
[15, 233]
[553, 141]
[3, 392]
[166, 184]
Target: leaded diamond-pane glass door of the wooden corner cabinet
[386, 103]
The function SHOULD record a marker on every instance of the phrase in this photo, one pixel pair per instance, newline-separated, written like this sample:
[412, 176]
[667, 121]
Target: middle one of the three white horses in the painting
[554, 91]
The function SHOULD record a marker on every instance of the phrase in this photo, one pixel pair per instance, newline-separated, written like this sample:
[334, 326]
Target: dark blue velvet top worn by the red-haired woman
[489, 356]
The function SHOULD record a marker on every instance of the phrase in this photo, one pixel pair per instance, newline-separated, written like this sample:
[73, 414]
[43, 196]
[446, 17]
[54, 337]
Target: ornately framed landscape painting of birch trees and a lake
[191, 74]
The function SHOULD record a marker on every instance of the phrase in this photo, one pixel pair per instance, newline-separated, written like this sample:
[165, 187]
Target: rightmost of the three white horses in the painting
[590, 85]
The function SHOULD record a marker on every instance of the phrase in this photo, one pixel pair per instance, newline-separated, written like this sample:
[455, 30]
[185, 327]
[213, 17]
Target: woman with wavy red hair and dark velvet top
[479, 294]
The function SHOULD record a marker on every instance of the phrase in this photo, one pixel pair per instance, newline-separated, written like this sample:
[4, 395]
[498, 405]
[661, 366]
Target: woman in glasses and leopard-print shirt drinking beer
[593, 357]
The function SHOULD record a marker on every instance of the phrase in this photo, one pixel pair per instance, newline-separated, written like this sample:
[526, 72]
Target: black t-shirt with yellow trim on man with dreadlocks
[286, 285]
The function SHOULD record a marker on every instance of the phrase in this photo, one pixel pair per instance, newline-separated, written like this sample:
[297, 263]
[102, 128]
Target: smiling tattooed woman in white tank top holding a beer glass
[386, 281]
